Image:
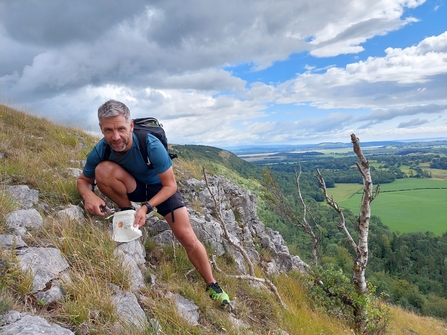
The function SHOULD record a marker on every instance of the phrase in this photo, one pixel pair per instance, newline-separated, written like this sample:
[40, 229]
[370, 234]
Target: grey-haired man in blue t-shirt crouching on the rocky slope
[125, 177]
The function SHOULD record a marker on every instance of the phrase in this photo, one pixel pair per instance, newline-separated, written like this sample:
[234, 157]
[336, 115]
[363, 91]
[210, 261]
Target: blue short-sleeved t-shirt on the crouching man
[132, 161]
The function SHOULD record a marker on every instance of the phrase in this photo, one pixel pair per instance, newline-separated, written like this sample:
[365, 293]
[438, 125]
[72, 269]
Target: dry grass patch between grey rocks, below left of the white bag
[94, 266]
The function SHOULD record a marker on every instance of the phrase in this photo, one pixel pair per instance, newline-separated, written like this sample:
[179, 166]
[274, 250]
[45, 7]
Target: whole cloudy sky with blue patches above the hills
[230, 72]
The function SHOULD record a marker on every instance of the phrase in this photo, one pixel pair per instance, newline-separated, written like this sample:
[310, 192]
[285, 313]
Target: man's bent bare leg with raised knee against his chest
[115, 182]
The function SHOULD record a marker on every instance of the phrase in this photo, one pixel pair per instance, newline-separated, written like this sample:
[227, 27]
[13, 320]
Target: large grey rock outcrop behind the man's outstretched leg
[237, 208]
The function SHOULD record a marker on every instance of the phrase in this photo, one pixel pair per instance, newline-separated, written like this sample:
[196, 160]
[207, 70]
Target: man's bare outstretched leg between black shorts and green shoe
[184, 233]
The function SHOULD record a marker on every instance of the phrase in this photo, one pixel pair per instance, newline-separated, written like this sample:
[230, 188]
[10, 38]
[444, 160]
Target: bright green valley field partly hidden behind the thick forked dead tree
[406, 205]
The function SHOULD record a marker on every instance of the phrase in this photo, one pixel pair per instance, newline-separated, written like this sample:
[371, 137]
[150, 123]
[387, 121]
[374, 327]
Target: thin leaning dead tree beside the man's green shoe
[251, 269]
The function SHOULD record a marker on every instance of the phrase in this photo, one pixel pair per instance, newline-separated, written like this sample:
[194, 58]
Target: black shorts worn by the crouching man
[145, 192]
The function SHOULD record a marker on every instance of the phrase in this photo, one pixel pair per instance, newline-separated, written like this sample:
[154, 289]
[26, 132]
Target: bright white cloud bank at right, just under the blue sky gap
[414, 75]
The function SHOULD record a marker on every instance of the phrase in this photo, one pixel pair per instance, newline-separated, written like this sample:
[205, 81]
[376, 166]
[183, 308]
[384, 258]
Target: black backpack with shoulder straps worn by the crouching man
[143, 126]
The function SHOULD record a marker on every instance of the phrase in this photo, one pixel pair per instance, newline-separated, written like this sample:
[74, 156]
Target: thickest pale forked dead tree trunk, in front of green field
[360, 248]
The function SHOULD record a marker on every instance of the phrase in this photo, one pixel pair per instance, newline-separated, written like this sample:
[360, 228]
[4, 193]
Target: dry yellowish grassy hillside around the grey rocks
[36, 152]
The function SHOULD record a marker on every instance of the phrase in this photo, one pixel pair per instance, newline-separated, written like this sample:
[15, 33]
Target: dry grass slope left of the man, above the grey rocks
[37, 153]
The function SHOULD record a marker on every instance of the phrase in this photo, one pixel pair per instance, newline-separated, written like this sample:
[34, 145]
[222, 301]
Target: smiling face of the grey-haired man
[117, 132]
